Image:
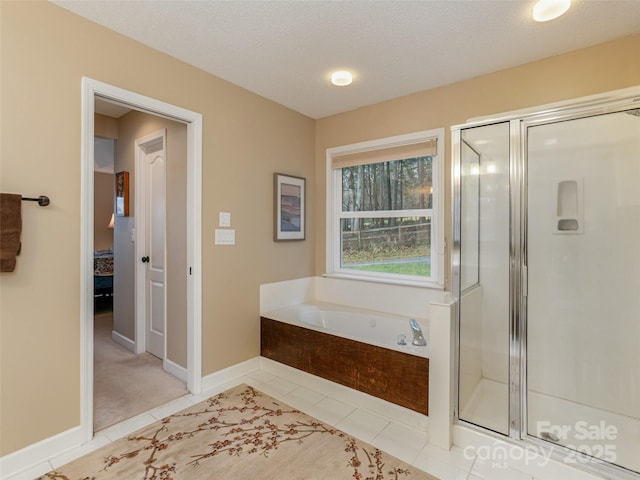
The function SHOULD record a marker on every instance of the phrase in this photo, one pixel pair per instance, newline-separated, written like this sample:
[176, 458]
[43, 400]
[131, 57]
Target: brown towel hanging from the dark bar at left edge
[10, 230]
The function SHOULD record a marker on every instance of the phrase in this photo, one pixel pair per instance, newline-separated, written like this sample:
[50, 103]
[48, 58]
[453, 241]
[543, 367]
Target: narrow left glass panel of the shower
[483, 280]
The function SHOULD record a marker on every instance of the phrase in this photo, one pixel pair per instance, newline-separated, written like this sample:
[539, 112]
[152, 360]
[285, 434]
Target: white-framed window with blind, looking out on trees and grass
[385, 209]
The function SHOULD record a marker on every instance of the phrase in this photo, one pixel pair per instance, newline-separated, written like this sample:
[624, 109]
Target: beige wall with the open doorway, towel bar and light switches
[45, 51]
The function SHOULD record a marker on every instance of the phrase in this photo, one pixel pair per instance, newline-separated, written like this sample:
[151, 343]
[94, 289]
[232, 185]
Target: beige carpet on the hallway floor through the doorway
[126, 384]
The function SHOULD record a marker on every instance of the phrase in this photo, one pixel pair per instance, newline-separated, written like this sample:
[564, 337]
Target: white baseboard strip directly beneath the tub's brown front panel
[348, 395]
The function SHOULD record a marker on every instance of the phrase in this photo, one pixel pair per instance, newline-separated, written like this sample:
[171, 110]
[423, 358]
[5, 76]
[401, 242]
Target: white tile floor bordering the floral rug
[398, 439]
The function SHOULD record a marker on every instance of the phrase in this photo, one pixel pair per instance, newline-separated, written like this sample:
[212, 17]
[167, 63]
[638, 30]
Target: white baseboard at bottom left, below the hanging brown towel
[13, 464]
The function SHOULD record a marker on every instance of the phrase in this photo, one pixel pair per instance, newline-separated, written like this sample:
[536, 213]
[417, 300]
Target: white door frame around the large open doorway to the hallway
[90, 89]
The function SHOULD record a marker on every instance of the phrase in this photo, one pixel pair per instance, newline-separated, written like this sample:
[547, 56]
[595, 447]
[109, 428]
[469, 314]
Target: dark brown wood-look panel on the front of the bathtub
[394, 376]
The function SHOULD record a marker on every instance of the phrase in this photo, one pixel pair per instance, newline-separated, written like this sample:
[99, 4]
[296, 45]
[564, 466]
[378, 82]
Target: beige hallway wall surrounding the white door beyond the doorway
[132, 126]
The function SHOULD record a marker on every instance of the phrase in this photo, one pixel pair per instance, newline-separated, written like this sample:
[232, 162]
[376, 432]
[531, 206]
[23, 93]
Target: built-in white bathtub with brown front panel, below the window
[353, 347]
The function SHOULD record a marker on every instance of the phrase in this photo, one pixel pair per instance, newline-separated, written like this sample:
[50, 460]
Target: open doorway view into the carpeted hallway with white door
[132, 373]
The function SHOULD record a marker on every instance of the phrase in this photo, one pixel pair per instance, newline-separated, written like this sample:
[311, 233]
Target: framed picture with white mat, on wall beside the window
[289, 202]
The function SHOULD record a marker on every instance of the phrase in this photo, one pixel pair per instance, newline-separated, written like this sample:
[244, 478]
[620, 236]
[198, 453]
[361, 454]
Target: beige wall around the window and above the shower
[598, 69]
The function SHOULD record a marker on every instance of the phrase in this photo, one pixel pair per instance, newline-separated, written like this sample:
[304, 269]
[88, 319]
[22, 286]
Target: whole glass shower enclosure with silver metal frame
[546, 277]
